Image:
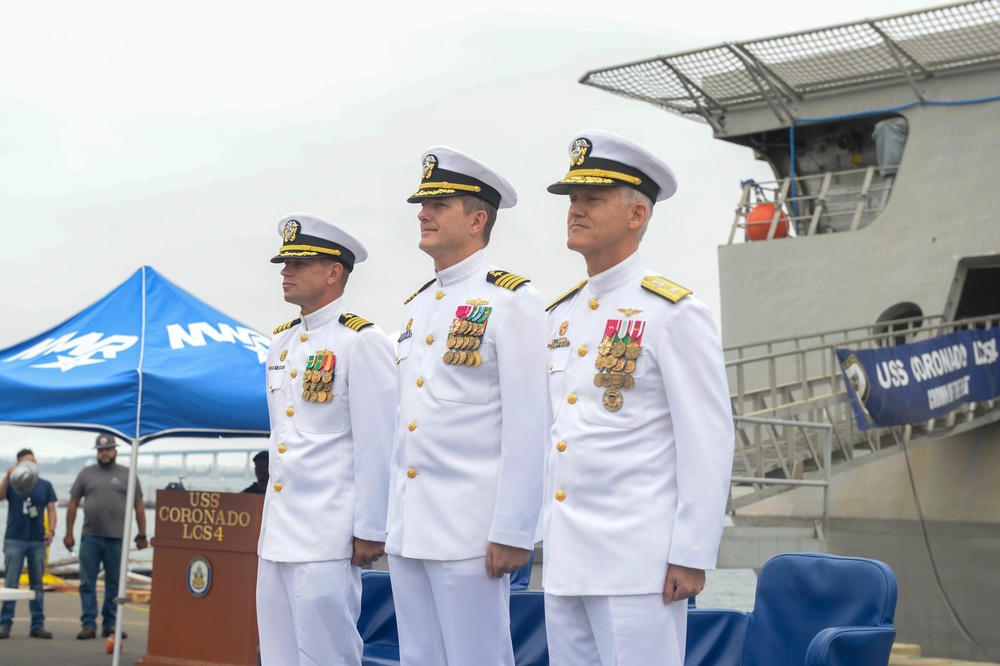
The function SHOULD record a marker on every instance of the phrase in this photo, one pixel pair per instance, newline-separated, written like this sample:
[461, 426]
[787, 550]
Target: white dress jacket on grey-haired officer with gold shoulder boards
[629, 491]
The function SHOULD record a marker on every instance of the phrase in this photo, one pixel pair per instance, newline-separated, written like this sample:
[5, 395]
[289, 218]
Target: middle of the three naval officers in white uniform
[470, 437]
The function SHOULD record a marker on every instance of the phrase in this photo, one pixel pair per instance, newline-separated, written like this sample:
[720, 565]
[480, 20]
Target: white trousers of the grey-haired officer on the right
[625, 630]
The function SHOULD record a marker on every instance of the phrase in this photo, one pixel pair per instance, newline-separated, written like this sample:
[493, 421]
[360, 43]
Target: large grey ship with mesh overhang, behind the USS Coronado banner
[880, 228]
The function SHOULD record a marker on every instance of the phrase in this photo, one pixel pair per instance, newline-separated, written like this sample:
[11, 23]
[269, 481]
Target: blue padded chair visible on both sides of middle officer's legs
[377, 624]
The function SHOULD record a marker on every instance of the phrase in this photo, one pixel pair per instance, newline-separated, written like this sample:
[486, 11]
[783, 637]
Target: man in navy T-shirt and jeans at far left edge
[31, 522]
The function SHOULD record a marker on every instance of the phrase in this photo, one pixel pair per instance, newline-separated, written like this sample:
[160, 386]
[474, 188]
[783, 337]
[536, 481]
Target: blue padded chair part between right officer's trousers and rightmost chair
[715, 636]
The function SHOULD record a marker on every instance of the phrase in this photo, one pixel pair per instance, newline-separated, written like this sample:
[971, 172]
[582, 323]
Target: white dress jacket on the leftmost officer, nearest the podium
[328, 460]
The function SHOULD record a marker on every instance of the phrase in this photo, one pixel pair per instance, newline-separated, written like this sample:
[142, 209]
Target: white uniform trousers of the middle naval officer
[451, 613]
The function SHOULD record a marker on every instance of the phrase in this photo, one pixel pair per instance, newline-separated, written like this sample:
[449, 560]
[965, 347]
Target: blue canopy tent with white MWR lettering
[148, 360]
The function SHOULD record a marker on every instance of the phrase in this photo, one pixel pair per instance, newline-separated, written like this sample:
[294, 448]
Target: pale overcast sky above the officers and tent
[176, 135]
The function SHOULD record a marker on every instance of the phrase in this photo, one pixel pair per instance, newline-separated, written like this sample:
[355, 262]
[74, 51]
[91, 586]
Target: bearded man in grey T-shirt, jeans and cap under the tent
[105, 485]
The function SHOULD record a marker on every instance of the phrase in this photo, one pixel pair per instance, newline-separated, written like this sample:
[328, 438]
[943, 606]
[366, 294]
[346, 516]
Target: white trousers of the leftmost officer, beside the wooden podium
[307, 613]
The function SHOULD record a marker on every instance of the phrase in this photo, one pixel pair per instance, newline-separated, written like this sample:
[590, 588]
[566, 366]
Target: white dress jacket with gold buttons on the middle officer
[470, 439]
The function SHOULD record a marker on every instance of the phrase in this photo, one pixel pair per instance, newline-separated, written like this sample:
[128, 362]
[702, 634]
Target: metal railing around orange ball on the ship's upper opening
[831, 202]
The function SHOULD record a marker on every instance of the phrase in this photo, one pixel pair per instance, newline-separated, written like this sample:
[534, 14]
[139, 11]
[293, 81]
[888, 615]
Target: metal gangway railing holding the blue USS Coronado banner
[794, 423]
